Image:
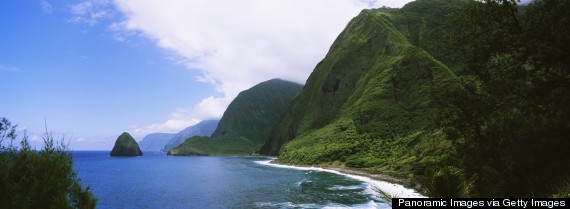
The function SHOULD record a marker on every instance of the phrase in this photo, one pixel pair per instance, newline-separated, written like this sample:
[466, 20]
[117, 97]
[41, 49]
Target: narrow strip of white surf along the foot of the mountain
[377, 182]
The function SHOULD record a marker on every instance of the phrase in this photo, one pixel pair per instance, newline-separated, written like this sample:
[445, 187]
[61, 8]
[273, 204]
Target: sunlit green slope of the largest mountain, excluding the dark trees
[370, 103]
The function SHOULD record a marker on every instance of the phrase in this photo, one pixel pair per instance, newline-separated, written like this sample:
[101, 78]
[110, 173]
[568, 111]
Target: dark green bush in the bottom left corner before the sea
[38, 179]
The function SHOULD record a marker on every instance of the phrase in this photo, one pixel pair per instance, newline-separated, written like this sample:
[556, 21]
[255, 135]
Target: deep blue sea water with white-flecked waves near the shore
[159, 181]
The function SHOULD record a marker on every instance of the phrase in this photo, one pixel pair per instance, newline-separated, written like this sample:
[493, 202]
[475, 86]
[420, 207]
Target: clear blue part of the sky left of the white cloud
[82, 80]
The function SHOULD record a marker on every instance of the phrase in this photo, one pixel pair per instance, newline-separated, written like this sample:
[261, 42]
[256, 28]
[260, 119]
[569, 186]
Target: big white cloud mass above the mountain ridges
[237, 44]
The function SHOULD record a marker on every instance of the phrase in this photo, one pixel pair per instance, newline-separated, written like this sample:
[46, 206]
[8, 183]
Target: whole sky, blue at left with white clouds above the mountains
[90, 70]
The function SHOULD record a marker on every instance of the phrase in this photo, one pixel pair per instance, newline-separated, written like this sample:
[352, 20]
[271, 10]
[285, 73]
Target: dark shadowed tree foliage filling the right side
[510, 120]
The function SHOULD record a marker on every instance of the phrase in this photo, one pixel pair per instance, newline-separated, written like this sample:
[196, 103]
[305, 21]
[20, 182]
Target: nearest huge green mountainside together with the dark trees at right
[466, 98]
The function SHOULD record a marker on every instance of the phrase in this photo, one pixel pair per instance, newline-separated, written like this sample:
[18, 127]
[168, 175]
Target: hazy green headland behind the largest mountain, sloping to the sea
[246, 123]
